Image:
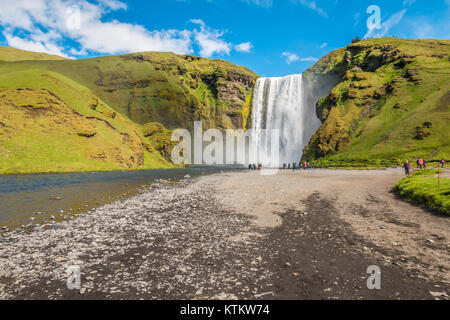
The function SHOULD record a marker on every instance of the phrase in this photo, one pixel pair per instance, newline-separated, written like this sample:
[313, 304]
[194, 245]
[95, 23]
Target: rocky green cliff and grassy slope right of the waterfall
[381, 101]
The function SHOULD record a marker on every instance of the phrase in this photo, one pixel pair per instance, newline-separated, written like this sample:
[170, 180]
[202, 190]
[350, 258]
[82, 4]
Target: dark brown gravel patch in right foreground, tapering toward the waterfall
[315, 255]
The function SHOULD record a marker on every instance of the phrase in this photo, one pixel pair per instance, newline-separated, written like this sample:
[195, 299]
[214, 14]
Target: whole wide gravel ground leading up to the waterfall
[239, 235]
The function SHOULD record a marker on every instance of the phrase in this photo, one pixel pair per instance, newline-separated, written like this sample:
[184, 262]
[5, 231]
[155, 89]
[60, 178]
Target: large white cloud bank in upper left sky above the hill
[26, 22]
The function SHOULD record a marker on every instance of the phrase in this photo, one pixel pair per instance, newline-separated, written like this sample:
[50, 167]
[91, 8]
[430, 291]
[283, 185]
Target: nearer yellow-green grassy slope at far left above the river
[48, 123]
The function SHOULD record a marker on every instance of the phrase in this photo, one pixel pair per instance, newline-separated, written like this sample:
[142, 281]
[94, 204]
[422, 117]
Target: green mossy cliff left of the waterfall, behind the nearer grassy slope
[171, 89]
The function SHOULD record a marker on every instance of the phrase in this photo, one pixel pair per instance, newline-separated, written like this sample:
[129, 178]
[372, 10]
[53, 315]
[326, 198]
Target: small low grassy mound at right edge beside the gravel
[422, 189]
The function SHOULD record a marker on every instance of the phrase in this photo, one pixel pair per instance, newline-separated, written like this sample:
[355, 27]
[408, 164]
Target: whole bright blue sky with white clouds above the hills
[270, 37]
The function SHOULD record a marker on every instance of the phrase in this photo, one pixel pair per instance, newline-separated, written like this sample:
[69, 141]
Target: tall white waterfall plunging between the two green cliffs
[280, 103]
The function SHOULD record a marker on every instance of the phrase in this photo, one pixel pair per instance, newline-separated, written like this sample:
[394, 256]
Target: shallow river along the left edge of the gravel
[31, 199]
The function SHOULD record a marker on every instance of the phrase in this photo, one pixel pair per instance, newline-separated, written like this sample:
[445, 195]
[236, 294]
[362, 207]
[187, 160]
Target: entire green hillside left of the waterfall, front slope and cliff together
[110, 113]
